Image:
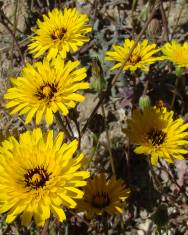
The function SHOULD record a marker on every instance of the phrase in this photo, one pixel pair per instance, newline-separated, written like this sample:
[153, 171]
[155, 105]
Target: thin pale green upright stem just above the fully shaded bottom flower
[108, 142]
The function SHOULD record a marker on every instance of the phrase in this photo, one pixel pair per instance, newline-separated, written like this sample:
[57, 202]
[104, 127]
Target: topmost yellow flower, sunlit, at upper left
[59, 33]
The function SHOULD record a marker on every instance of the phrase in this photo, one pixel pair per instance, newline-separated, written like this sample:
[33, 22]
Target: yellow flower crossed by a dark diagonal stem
[141, 57]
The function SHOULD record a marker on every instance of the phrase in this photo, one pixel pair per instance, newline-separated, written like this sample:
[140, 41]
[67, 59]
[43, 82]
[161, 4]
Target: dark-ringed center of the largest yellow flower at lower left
[36, 178]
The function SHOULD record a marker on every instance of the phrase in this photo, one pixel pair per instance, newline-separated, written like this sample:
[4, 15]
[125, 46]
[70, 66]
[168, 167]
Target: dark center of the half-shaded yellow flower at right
[157, 137]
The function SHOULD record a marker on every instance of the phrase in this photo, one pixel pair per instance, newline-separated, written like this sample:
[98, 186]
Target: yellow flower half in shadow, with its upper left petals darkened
[157, 134]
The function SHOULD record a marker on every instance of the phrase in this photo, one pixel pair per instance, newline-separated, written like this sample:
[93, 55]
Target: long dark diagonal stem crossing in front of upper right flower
[105, 93]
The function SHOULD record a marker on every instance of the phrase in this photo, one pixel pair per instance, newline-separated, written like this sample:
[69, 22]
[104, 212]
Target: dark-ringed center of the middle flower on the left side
[46, 91]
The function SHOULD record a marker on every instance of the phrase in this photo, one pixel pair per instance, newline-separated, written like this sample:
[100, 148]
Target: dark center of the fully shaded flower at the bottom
[100, 200]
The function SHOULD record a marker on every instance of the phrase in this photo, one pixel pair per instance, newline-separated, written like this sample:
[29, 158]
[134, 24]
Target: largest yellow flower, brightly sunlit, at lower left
[39, 176]
